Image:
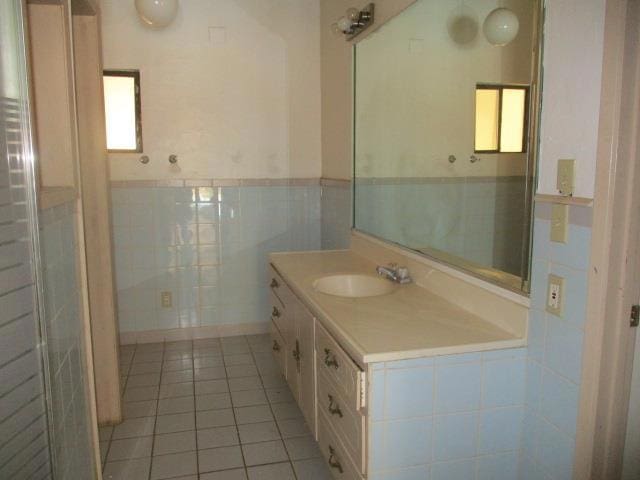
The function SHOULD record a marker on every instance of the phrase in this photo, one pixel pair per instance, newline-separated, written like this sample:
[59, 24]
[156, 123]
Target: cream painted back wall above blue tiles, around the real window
[239, 101]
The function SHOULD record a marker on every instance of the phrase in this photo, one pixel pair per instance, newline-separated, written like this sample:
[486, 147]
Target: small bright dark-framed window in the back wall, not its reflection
[122, 111]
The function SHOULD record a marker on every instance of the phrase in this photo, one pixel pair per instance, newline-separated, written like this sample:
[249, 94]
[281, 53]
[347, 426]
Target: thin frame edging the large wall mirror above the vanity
[498, 278]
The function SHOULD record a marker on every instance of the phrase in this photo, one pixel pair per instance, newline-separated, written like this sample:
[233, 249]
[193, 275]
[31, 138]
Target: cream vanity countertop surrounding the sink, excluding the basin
[410, 322]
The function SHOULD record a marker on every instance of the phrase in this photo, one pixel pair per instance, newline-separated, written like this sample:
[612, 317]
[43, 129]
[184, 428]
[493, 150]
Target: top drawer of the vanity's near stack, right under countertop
[333, 361]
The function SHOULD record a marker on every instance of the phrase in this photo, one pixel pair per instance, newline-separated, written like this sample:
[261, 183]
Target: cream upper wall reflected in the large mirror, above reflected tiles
[415, 92]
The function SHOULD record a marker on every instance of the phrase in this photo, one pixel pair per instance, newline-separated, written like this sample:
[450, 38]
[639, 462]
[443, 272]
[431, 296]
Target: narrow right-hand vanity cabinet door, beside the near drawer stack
[307, 366]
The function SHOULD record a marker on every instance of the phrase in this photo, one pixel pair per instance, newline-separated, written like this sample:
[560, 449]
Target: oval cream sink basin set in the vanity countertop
[354, 285]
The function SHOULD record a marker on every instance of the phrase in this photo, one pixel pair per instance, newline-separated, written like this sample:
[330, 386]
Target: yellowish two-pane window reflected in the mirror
[501, 117]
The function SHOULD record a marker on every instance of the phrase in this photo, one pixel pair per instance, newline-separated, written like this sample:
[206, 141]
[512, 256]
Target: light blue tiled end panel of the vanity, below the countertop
[447, 417]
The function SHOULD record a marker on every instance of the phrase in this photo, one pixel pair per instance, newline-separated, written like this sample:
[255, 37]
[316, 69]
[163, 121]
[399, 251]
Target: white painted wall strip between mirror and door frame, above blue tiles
[573, 48]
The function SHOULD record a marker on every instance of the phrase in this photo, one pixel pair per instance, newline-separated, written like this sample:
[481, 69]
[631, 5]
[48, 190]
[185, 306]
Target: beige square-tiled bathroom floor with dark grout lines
[211, 409]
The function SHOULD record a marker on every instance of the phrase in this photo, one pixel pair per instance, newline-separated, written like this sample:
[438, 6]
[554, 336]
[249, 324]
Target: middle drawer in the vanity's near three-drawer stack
[348, 424]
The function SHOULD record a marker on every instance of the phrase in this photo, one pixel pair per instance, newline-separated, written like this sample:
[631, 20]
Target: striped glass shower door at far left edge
[24, 433]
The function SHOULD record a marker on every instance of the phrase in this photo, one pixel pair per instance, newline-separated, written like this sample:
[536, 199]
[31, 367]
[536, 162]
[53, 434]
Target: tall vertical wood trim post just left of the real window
[94, 174]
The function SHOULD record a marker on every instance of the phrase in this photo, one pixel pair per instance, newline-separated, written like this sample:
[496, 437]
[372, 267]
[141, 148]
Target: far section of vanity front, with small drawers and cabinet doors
[292, 333]
